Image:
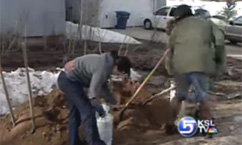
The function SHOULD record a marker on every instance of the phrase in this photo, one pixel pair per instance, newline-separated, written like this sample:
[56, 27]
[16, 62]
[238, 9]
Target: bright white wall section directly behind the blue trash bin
[139, 9]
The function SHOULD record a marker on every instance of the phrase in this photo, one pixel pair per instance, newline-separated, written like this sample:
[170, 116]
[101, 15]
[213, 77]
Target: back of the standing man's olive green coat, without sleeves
[192, 39]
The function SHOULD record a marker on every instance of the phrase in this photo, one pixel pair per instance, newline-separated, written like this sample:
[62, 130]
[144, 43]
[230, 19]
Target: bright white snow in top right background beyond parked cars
[213, 7]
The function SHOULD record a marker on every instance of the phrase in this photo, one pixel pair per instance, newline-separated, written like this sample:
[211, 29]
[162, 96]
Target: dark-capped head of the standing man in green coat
[182, 12]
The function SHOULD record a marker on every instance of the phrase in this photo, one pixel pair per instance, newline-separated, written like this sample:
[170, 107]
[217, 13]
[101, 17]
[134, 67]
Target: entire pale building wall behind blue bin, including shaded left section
[101, 13]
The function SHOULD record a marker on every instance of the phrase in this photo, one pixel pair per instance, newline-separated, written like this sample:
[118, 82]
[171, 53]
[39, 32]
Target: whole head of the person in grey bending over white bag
[122, 64]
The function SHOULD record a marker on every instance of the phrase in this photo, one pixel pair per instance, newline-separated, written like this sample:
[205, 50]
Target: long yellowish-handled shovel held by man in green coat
[142, 85]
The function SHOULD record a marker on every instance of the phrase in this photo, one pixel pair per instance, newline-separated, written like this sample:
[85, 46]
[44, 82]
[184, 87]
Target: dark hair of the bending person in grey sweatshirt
[123, 64]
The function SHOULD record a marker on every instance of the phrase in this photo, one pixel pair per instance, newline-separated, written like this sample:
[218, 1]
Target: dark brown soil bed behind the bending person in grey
[143, 56]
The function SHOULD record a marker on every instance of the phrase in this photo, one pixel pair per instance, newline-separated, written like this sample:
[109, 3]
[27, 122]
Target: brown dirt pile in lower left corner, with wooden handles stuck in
[51, 118]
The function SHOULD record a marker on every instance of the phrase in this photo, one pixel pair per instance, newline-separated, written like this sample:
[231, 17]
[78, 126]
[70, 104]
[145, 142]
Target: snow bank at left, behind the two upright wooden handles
[42, 83]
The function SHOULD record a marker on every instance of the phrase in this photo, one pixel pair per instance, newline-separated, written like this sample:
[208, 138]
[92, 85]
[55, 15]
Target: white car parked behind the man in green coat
[160, 18]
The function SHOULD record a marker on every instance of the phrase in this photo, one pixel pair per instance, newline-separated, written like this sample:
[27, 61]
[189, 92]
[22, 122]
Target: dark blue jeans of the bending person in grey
[81, 112]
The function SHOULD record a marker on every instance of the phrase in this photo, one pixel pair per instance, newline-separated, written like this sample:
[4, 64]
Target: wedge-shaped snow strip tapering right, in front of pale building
[97, 34]
